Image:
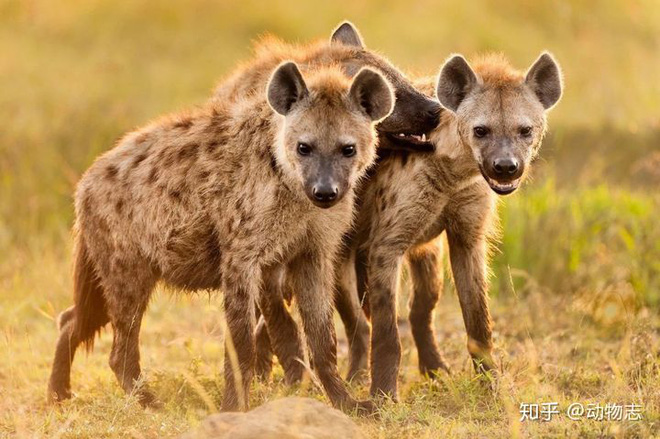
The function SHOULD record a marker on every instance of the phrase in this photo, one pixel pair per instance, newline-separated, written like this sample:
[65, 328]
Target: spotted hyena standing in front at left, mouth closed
[218, 199]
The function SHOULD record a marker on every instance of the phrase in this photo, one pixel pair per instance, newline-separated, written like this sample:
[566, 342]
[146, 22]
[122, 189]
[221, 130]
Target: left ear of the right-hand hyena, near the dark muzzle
[456, 80]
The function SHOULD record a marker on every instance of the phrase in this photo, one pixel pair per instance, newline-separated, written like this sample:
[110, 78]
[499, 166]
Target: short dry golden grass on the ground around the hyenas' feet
[551, 348]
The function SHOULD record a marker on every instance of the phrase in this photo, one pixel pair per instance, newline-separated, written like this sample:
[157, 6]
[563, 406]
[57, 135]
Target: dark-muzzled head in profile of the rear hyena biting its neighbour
[414, 115]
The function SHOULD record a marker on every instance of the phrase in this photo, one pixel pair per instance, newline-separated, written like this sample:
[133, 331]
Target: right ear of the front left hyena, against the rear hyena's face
[373, 93]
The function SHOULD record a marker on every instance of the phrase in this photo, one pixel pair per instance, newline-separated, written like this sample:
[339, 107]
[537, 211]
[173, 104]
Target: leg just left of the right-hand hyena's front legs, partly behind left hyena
[357, 328]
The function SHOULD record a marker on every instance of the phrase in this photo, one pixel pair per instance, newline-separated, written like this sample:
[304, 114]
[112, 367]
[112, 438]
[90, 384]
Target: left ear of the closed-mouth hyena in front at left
[286, 87]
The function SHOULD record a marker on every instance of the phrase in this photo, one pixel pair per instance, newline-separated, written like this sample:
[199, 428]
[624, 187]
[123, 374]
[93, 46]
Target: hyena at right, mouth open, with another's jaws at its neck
[484, 144]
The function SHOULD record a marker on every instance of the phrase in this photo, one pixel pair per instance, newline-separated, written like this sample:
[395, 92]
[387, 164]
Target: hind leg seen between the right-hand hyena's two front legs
[426, 274]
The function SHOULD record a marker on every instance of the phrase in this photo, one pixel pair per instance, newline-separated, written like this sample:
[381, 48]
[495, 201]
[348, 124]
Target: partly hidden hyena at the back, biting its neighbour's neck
[413, 117]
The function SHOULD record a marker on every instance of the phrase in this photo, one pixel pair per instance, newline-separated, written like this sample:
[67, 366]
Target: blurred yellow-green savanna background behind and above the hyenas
[75, 76]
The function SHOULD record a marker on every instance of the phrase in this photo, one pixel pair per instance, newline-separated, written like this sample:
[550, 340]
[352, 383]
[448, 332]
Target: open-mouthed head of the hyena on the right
[501, 112]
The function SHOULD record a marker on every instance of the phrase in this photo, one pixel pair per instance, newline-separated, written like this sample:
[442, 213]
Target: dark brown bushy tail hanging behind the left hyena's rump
[90, 310]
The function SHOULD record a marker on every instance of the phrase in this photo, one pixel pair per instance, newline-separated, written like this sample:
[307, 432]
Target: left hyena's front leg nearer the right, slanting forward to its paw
[312, 276]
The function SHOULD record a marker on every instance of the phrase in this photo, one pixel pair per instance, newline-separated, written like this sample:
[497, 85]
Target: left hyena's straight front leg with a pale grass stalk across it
[241, 291]
